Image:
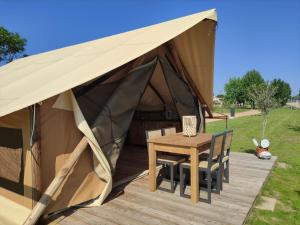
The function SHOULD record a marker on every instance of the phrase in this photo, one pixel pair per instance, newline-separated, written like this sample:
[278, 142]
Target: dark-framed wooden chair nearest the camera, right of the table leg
[209, 166]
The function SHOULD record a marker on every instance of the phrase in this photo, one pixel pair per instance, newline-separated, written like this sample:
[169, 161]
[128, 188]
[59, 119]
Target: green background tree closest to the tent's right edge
[234, 91]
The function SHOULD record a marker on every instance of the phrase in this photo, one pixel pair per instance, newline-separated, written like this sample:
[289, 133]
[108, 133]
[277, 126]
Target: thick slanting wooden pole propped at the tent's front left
[56, 182]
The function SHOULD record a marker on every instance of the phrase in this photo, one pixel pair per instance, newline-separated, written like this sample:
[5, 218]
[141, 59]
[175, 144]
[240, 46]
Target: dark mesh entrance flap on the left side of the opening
[111, 124]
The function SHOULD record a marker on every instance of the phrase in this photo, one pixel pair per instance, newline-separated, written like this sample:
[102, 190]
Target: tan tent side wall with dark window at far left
[20, 191]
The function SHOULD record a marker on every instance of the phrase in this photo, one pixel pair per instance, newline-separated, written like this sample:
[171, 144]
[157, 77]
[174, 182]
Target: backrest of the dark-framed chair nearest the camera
[217, 147]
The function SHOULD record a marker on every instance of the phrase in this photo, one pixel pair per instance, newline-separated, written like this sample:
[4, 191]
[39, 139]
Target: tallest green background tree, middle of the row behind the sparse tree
[250, 79]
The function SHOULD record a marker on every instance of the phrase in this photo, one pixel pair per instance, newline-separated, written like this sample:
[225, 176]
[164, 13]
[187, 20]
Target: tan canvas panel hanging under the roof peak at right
[196, 50]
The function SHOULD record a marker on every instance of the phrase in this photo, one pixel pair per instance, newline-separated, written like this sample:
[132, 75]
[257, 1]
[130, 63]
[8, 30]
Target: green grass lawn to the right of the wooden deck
[283, 131]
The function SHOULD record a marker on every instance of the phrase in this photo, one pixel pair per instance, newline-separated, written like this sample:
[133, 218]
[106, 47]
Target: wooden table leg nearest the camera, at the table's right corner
[194, 175]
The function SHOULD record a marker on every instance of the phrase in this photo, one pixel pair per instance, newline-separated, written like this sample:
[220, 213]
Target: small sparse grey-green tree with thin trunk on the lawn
[263, 96]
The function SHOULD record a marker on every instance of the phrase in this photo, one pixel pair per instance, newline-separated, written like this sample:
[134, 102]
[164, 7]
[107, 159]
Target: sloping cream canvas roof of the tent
[29, 80]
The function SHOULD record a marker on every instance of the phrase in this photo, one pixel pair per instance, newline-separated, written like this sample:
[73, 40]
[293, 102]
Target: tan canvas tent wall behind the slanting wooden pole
[59, 137]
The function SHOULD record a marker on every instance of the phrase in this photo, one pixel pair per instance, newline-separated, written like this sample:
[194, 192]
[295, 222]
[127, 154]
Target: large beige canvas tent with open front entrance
[96, 90]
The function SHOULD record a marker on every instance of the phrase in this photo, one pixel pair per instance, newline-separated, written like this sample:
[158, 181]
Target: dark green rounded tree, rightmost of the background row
[283, 91]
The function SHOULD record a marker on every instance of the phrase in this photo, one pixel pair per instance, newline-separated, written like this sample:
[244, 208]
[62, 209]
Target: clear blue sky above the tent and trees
[257, 34]
